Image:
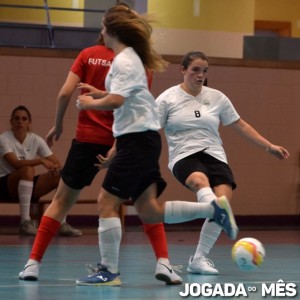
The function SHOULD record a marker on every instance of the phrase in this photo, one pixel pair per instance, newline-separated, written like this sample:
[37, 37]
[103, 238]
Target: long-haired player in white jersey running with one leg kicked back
[134, 172]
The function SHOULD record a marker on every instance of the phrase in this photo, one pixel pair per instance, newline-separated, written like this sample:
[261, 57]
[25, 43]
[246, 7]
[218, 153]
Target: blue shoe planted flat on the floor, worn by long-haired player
[100, 276]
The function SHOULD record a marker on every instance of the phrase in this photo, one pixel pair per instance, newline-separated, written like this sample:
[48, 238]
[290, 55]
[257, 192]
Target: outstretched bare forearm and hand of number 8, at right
[252, 135]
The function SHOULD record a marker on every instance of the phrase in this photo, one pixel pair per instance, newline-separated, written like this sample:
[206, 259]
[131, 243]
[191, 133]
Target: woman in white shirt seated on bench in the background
[20, 152]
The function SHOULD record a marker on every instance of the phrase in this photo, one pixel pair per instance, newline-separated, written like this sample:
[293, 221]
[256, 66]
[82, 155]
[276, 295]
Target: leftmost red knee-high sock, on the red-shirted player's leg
[47, 230]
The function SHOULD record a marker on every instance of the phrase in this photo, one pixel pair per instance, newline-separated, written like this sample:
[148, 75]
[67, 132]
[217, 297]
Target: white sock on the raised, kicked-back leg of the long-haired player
[183, 211]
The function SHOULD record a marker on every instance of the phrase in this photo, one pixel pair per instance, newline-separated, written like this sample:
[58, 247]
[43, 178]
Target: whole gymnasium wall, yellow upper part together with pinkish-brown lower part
[266, 94]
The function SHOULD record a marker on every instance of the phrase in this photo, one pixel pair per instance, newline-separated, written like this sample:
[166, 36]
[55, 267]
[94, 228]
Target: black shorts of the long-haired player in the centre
[135, 166]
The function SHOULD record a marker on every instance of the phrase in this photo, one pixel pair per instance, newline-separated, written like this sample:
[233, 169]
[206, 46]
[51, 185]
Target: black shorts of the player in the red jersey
[79, 169]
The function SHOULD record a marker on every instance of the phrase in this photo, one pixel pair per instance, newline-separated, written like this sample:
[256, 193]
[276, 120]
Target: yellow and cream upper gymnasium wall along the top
[217, 27]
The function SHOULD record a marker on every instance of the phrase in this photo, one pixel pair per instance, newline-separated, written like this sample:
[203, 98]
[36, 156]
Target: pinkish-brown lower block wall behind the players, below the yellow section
[265, 94]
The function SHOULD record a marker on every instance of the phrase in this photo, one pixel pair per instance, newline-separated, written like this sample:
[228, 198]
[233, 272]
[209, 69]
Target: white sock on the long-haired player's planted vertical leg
[110, 235]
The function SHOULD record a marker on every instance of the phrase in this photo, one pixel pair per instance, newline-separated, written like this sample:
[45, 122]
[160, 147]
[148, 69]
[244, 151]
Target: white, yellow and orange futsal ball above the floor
[248, 254]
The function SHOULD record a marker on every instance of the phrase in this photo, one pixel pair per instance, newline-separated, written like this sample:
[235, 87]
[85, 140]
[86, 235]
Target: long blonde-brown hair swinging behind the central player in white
[134, 30]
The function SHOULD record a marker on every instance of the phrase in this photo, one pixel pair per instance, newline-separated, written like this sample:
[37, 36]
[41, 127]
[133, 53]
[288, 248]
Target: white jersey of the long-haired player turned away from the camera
[127, 77]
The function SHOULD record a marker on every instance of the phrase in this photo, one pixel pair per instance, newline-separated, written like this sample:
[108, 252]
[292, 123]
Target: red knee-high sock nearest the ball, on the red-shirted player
[157, 236]
